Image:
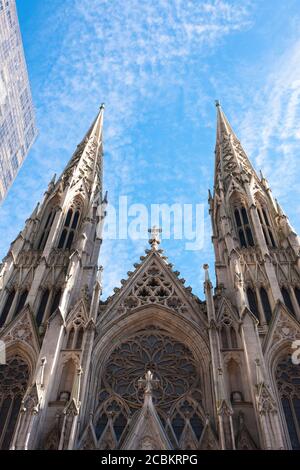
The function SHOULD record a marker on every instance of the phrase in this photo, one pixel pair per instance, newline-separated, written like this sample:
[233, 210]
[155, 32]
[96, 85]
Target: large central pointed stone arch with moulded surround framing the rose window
[156, 339]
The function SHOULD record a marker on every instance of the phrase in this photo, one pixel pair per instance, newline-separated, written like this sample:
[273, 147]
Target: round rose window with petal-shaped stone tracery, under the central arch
[170, 361]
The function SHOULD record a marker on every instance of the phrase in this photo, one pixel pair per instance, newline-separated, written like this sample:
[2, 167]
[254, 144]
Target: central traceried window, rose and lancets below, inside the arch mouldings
[178, 398]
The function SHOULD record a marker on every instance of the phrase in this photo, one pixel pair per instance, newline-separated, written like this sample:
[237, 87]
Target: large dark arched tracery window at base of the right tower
[287, 377]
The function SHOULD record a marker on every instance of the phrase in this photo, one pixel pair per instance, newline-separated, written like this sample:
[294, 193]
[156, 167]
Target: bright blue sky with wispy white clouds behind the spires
[159, 66]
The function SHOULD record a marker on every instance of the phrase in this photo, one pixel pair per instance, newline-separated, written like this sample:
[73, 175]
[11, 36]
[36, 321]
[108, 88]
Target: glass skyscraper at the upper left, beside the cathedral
[17, 120]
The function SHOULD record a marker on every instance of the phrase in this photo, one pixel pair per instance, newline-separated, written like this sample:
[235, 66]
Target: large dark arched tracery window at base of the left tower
[13, 383]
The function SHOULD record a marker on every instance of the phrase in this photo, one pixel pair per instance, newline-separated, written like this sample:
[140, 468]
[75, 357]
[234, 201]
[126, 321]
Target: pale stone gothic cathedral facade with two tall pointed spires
[153, 366]
